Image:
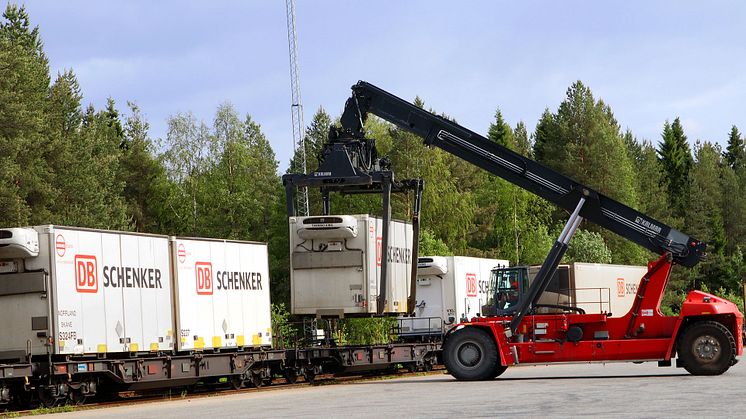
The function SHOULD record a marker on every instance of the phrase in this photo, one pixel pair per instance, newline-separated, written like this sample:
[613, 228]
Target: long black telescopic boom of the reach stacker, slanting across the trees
[519, 170]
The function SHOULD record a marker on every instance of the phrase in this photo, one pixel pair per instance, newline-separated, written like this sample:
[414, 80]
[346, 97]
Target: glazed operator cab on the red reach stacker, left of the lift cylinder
[506, 288]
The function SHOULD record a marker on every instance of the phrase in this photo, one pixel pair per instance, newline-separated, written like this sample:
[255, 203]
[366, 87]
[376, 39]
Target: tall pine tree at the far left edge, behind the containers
[25, 193]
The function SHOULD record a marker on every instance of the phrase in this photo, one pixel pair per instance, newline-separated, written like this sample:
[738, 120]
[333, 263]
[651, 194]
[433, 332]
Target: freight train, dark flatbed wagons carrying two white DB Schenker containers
[87, 312]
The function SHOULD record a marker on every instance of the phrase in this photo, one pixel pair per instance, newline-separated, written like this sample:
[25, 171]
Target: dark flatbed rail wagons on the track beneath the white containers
[75, 379]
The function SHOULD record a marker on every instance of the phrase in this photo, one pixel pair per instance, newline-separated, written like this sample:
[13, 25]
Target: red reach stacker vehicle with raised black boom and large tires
[705, 338]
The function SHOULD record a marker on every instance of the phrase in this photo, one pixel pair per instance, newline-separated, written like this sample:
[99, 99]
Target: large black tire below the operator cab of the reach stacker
[471, 354]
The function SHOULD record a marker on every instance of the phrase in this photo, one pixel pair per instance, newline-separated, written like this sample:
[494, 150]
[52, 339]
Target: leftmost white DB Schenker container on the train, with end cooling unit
[91, 291]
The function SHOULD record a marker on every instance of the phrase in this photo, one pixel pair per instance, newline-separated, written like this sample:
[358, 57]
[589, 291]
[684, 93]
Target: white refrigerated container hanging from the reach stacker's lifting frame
[335, 265]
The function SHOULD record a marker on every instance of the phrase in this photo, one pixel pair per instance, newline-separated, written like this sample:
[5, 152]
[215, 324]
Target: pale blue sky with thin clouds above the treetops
[651, 61]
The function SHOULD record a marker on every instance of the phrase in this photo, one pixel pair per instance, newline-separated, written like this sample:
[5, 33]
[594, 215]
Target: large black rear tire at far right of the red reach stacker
[707, 348]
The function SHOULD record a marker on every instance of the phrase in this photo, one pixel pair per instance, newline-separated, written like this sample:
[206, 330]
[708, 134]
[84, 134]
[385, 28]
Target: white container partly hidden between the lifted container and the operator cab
[451, 288]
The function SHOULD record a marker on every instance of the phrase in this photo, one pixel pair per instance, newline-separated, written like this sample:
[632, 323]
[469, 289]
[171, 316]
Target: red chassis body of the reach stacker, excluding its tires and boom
[643, 334]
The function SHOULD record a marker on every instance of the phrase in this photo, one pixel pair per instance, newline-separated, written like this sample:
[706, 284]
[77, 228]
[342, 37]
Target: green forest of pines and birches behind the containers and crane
[69, 163]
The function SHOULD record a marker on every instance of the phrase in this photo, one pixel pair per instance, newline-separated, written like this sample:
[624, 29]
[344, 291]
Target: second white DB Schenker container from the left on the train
[222, 294]
